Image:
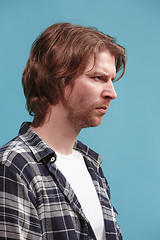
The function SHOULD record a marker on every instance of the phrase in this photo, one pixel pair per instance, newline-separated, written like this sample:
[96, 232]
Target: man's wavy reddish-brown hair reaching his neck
[56, 57]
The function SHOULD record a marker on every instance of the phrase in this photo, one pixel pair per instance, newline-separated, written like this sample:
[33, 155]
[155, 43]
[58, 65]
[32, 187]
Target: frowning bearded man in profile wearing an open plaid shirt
[52, 185]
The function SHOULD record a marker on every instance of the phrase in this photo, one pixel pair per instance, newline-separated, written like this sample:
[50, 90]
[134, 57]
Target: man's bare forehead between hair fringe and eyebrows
[103, 61]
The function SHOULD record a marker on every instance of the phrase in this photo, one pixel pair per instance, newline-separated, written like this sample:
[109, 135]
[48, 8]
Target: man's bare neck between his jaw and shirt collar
[57, 132]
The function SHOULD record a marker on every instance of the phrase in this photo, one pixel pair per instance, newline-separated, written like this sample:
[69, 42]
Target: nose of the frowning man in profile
[109, 91]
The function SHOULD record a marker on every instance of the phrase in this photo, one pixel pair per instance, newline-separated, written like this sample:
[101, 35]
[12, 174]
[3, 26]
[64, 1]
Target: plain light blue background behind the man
[128, 139]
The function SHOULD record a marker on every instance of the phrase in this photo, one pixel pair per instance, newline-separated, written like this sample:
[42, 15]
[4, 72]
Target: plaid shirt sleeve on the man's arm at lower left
[18, 214]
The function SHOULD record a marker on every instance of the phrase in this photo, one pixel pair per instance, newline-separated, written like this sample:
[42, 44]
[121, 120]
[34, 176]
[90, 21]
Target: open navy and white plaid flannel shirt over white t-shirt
[37, 202]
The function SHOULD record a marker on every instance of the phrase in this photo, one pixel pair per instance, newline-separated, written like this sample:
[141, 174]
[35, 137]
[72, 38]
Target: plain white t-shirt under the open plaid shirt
[75, 171]
